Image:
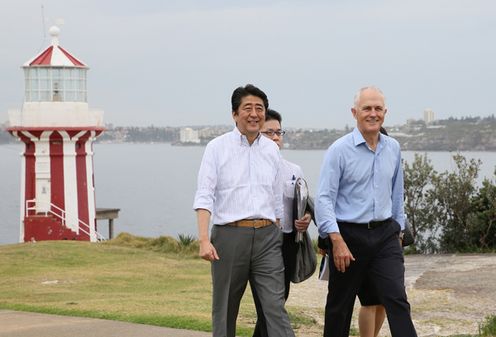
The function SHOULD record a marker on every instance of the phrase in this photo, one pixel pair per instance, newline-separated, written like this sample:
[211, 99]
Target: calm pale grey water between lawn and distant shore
[153, 185]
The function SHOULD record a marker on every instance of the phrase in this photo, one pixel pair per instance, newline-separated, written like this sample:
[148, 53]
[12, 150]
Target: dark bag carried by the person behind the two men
[305, 259]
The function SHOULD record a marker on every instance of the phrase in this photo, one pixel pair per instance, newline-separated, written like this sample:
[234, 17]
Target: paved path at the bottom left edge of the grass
[27, 324]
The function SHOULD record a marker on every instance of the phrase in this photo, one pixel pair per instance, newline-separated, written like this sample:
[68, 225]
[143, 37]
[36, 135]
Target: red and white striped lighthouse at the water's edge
[58, 130]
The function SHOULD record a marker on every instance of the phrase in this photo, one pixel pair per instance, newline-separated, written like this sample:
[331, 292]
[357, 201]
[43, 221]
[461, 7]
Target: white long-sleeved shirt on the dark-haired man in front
[239, 181]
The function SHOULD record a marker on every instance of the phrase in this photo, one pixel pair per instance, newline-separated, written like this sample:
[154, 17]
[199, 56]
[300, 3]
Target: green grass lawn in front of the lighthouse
[151, 281]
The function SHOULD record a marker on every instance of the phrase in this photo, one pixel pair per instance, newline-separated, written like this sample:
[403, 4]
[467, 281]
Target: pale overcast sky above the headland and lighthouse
[176, 63]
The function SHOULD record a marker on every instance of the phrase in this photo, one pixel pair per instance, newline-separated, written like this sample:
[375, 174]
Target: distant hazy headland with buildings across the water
[464, 134]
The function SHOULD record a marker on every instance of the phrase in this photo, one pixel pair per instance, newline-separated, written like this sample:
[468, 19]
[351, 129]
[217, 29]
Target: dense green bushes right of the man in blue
[448, 211]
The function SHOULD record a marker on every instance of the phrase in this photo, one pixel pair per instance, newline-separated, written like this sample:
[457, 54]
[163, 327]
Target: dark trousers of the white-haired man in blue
[379, 257]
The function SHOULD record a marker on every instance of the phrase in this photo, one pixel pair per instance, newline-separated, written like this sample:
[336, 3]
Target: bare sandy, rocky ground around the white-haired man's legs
[448, 294]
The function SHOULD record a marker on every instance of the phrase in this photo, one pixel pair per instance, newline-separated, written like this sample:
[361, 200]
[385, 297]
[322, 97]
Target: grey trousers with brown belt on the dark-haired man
[248, 254]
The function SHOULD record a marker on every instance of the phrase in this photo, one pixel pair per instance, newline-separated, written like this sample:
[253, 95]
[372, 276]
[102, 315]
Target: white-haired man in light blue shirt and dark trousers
[359, 207]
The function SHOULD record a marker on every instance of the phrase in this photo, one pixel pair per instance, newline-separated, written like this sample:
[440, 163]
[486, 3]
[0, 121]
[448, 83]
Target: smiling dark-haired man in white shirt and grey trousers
[240, 187]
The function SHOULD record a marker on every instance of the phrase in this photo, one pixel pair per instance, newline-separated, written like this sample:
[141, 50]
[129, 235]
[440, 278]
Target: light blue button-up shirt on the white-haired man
[358, 184]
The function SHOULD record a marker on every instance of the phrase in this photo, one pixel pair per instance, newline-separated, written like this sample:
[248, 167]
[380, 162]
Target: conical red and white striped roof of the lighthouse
[55, 55]
